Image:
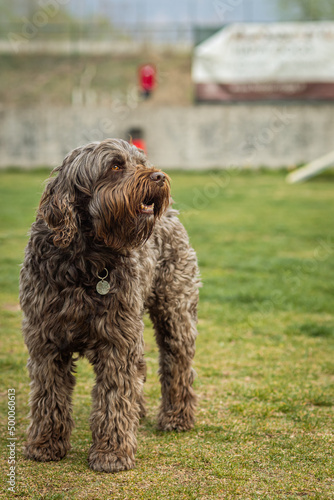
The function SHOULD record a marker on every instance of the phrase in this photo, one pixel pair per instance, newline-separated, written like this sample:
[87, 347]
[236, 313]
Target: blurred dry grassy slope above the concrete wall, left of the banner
[30, 80]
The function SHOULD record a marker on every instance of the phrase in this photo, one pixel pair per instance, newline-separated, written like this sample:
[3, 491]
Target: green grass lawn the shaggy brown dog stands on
[264, 354]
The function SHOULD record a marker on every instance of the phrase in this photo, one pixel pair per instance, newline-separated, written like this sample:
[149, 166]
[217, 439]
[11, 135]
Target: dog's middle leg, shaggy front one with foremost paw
[116, 409]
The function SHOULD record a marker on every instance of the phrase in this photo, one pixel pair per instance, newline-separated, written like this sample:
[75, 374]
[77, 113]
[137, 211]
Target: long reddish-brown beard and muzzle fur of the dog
[124, 215]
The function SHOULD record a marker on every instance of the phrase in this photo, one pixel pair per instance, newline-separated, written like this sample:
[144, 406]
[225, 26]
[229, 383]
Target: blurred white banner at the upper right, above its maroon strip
[261, 53]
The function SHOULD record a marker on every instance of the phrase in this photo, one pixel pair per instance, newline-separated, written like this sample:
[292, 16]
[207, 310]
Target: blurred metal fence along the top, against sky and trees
[165, 21]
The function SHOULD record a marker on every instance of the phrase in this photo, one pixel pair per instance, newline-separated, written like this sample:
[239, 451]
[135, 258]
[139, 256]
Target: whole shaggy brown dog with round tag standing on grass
[104, 247]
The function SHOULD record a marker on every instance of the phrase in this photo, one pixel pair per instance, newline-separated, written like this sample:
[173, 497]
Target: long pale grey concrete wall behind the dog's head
[248, 135]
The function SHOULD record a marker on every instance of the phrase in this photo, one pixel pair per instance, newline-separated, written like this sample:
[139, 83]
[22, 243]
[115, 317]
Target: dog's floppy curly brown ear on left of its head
[57, 208]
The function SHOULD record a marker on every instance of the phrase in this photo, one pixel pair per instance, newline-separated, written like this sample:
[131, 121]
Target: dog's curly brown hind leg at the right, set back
[173, 310]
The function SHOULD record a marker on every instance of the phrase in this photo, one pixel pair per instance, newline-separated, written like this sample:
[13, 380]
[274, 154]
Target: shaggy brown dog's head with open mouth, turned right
[105, 190]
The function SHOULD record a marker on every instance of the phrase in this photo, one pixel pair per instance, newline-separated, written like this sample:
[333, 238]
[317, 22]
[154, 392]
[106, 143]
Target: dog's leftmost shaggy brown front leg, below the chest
[52, 383]
